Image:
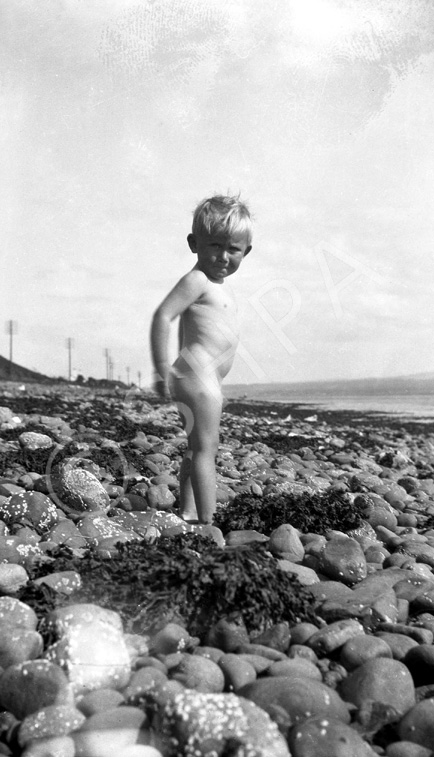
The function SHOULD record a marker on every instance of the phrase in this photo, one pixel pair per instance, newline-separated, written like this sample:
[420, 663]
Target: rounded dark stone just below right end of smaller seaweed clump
[342, 559]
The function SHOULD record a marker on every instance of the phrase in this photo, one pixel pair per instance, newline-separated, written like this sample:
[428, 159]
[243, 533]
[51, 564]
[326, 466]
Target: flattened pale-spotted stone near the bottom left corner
[54, 720]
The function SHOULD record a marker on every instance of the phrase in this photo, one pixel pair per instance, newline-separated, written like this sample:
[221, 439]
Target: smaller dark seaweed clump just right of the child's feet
[308, 512]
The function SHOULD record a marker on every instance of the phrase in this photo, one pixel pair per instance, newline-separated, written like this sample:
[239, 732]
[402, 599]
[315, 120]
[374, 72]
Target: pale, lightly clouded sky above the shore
[117, 117]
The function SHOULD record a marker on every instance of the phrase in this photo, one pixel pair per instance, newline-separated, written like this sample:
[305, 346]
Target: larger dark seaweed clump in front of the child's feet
[185, 578]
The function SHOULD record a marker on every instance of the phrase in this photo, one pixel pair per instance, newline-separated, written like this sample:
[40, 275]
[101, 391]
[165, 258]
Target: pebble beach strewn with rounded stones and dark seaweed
[315, 638]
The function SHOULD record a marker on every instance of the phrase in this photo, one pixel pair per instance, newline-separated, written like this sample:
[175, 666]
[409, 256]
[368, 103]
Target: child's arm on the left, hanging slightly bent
[186, 291]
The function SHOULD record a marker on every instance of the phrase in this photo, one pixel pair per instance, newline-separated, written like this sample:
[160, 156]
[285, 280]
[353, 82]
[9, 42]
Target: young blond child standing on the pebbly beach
[221, 237]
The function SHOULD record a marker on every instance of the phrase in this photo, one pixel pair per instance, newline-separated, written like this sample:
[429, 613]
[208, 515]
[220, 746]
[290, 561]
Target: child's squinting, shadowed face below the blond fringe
[219, 255]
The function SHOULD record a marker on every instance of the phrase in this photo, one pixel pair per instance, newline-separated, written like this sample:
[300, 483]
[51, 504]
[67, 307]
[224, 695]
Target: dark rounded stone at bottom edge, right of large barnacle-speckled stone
[325, 737]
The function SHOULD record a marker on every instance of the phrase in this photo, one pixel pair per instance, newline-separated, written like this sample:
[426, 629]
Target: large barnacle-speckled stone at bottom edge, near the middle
[193, 723]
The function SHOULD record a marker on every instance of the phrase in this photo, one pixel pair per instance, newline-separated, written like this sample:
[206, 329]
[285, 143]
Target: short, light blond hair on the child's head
[223, 214]
